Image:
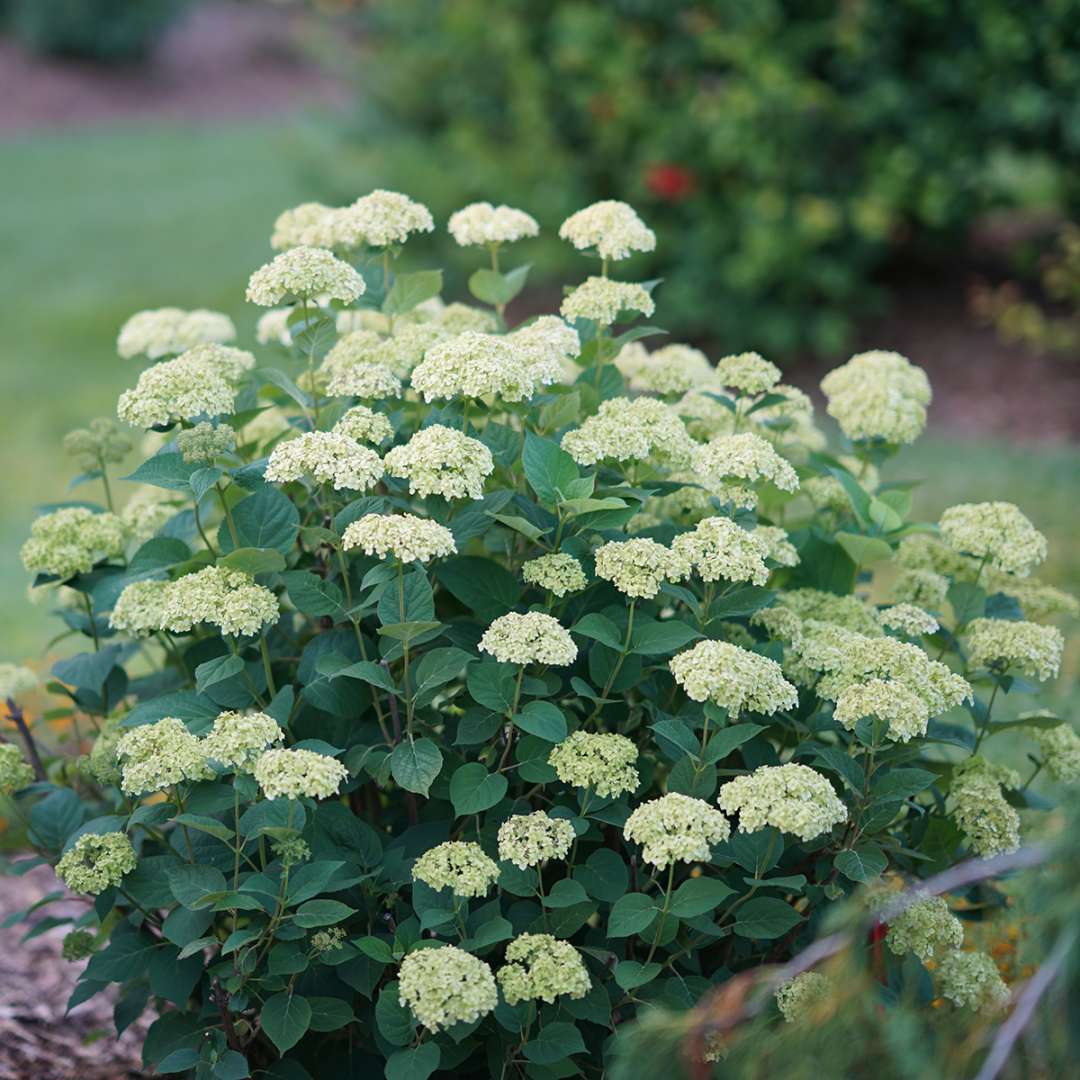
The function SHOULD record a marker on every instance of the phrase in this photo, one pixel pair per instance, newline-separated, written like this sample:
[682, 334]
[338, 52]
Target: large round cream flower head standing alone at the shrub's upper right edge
[879, 396]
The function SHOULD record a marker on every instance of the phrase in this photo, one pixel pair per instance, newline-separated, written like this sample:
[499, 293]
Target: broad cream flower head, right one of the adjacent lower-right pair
[793, 799]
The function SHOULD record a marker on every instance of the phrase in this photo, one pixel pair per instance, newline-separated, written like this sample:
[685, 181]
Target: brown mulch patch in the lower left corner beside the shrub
[39, 1041]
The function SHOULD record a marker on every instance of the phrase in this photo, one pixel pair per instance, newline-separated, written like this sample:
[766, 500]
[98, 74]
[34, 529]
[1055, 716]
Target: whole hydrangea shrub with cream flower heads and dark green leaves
[461, 691]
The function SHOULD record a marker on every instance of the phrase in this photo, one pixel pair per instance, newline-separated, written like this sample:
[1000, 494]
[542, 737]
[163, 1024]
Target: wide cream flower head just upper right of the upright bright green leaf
[631, 430]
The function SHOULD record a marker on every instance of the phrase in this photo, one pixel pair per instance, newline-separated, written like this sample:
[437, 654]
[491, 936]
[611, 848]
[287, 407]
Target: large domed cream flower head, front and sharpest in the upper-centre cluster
[474, 366]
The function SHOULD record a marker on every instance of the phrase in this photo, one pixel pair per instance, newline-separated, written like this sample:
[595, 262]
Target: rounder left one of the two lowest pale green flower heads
[447, 987]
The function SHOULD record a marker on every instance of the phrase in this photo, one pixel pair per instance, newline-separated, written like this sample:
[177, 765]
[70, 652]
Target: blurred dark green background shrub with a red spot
[816, 141]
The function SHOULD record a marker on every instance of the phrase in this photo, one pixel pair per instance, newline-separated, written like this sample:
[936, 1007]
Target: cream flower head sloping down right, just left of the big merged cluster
[735, 679]
